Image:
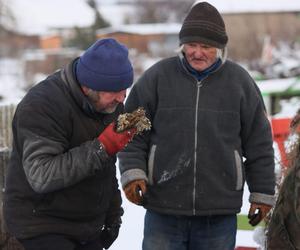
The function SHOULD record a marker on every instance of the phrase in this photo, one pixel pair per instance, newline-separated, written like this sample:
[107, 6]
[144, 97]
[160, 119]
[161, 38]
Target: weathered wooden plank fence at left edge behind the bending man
[6, 115]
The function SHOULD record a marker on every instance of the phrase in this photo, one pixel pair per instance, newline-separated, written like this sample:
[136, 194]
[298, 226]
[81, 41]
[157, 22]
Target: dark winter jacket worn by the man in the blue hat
[59, 179]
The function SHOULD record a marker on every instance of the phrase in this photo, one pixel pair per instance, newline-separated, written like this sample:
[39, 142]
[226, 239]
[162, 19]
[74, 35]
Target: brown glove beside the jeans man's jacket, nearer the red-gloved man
[135, 191]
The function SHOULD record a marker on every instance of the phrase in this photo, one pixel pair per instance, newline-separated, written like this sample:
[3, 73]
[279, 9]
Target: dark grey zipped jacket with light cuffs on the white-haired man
[192, 159]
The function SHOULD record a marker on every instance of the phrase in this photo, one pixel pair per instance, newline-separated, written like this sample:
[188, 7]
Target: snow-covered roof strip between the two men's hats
[144, 29]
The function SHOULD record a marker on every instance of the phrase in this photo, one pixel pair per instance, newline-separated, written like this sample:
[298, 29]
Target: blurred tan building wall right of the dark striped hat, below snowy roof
[248, 31]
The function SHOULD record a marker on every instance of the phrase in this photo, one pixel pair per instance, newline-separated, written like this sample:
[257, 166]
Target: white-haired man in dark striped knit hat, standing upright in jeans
[209, 135]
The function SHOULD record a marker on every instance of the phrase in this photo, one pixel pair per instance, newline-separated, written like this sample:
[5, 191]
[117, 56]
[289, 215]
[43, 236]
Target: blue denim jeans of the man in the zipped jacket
[167, 232]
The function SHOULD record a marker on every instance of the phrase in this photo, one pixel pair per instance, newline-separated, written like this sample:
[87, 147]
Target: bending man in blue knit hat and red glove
[61, 189]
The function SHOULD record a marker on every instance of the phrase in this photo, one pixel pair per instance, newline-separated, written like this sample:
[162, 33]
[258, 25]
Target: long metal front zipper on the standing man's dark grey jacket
[199, 85]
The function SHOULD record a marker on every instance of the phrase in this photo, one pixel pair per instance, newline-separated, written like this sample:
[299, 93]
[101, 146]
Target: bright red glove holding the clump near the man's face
[113, 141]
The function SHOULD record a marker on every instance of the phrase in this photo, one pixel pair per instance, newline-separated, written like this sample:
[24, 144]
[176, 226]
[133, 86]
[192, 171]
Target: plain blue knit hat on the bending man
[105, 67]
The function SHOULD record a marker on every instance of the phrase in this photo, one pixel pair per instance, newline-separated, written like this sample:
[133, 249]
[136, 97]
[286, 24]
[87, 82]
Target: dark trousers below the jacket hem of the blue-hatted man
[58, 242]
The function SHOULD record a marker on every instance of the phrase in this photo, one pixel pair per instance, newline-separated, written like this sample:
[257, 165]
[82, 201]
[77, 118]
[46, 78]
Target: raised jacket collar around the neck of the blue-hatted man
[69, 78]
